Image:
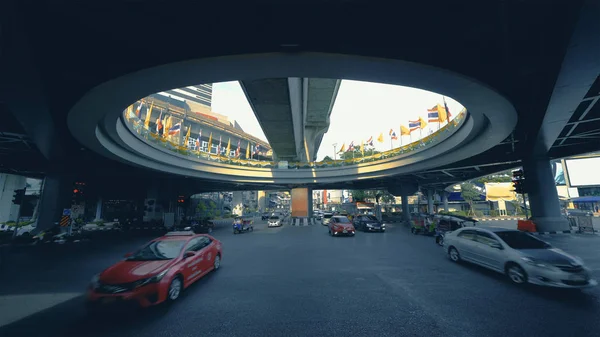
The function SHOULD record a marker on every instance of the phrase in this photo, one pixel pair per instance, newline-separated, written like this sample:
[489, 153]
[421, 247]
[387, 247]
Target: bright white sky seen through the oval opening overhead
[361, 110]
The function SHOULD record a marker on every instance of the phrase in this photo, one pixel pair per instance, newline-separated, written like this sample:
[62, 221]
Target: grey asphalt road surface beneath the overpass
[298, 281]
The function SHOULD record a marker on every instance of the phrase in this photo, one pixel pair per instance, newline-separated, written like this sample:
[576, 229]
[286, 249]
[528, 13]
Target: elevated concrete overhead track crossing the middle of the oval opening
[293, 112]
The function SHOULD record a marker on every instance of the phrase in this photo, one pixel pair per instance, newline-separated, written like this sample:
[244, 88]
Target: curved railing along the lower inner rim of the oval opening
[137, 127]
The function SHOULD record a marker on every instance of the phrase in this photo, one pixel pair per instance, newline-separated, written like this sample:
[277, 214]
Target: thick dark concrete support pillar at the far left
[56, 196]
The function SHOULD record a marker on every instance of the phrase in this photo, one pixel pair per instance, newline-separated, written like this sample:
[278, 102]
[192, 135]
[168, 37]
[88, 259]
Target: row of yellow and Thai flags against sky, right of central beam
[437, 114]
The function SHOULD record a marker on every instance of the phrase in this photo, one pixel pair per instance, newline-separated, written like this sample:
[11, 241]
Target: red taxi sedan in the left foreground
[157, 272]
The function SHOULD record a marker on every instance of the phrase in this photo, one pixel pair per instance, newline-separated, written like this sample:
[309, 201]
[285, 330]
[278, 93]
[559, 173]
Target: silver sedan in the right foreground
[521, 256]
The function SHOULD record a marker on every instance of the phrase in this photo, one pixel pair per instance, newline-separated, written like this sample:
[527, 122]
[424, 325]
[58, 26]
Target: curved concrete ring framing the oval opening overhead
[95, 119]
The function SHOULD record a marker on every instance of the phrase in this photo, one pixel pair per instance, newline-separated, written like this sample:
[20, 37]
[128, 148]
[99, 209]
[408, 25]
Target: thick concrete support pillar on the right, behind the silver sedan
[543, 197]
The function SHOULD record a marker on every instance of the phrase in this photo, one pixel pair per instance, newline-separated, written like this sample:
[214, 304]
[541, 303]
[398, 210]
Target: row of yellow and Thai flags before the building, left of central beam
[166, 128]
